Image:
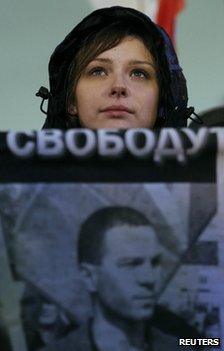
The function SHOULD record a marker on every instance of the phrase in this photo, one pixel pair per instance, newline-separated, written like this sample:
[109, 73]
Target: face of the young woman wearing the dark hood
[118, 89]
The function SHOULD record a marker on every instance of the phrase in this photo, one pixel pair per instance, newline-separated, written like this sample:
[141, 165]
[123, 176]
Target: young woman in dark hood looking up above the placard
[115, 69]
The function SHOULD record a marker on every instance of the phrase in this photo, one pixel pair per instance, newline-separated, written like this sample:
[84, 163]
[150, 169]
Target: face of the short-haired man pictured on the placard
[129, 274]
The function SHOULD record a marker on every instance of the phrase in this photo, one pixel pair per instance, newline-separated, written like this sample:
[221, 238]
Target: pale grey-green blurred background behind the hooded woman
[30, 30]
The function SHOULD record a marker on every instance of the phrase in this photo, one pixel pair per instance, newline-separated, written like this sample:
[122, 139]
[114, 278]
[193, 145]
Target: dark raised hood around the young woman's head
[176, 91]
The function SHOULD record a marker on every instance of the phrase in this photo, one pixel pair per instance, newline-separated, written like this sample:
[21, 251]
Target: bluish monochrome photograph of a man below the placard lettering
[110, 266]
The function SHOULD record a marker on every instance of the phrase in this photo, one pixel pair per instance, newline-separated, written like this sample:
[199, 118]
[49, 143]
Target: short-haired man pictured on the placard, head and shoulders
[119, 259]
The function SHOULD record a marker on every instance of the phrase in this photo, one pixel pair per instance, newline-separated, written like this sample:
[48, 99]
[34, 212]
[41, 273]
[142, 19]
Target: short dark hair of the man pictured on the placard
[93, 229]
